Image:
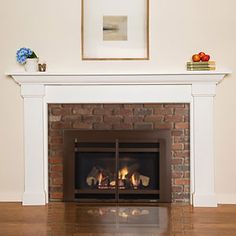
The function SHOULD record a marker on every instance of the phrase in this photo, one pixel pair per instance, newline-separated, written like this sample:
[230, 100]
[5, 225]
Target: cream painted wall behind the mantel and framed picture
[178, 29]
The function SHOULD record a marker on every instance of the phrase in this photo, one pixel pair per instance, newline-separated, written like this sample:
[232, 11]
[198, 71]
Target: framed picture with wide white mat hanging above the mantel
[115, 29]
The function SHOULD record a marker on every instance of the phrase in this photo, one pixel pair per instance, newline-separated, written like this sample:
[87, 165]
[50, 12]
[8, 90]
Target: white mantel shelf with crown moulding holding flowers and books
[56, 78]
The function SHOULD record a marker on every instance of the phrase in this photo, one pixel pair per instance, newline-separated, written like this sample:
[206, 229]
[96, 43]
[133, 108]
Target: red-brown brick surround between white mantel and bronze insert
[121, 117]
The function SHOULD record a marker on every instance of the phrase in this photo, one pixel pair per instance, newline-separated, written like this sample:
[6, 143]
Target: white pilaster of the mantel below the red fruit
[203, 149]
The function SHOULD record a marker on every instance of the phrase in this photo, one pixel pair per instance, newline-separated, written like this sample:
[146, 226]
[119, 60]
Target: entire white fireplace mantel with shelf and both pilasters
[197, 88]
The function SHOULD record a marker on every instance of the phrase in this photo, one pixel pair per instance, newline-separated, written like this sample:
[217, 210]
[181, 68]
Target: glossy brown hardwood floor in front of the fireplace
[82, 220]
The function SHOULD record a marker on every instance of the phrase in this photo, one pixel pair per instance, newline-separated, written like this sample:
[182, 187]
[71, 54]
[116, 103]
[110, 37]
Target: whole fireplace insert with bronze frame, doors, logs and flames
[117, 166]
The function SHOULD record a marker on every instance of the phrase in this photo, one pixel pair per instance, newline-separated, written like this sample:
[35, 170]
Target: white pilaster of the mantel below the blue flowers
[34, 193]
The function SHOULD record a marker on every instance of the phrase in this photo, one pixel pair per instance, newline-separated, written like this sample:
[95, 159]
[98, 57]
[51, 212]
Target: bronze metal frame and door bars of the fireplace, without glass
[163, 137]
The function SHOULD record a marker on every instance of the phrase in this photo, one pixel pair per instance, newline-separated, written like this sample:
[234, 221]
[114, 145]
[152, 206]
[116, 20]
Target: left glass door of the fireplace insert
[95, 168]
